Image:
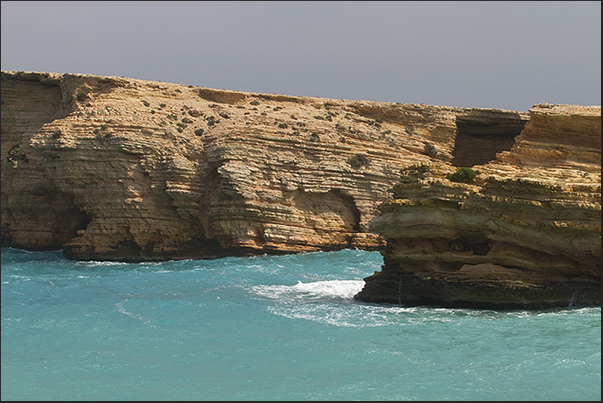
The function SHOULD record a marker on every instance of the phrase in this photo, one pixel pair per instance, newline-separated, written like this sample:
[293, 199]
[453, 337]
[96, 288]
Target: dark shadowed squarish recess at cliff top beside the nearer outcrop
[480, 136]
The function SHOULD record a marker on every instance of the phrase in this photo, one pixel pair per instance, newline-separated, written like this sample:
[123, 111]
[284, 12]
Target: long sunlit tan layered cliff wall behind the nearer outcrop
[111, 168]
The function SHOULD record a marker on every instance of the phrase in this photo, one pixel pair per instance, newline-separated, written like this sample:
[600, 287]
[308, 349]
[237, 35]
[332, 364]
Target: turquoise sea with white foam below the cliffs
[272, 328]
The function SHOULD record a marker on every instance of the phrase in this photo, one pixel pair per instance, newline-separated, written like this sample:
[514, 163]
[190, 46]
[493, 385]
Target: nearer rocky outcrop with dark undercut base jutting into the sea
[522, 231]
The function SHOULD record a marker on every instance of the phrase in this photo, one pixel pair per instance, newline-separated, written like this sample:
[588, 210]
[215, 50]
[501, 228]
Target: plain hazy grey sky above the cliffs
[478, 54]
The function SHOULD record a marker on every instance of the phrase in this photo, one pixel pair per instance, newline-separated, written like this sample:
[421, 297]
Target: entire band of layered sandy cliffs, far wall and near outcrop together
[110, 168]
